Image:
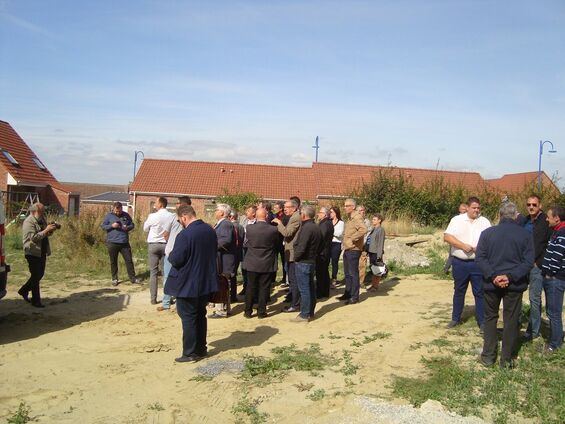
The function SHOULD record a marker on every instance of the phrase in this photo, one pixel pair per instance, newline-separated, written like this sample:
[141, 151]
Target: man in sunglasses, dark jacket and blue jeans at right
[536, 224]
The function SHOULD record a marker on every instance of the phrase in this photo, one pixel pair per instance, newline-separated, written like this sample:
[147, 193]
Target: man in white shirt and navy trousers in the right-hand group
[462, 234]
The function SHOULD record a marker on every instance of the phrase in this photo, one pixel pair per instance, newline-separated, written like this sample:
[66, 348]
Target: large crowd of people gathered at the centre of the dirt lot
[195, 274]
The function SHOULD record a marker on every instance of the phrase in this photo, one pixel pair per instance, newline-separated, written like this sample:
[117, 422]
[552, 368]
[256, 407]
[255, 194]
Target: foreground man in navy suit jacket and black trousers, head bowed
[193, 277]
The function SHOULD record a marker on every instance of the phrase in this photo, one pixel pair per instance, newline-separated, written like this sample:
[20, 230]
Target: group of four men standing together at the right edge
[501, 262]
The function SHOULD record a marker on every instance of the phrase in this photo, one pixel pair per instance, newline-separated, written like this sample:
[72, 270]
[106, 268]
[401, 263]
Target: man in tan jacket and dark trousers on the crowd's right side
[353, 238]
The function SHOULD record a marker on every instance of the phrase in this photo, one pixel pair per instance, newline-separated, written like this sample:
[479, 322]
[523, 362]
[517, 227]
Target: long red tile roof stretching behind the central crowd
[273, 181]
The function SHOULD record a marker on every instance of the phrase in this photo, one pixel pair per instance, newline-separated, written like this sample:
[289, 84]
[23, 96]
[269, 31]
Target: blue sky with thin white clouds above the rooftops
[463, 85]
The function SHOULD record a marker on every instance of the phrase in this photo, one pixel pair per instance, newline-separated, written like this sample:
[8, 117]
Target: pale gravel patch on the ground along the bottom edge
[431, 412]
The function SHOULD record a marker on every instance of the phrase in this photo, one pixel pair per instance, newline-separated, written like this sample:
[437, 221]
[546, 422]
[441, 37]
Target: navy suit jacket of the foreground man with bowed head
[194, 272]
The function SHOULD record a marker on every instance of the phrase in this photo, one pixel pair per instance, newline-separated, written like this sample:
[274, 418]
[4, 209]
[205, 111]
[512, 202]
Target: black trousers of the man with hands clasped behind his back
[511, 307]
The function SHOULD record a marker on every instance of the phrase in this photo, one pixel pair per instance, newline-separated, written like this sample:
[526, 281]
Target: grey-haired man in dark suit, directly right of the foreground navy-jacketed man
[227, 252]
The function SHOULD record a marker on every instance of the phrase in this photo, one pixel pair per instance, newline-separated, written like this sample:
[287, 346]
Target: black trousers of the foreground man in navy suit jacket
[192, 312]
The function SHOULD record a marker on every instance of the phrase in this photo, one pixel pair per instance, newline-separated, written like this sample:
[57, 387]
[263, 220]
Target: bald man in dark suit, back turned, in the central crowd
[260, 262]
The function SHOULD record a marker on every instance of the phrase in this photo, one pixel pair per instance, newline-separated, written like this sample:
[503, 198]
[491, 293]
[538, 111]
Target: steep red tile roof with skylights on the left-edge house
[27, 171]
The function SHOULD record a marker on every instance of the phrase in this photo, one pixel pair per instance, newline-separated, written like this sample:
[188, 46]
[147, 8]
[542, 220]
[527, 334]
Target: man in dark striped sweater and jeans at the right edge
[553, 270]
